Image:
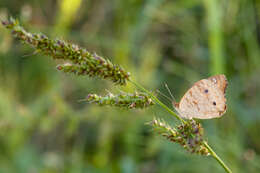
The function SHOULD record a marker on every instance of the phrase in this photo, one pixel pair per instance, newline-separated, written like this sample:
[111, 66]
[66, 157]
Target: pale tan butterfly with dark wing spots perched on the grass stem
[205, 99]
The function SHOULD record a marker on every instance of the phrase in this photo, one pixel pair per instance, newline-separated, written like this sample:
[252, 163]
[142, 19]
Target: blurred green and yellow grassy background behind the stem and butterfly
[43, 127]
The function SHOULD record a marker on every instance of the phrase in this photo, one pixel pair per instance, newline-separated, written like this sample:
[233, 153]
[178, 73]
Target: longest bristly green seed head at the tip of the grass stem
[82, 62]
